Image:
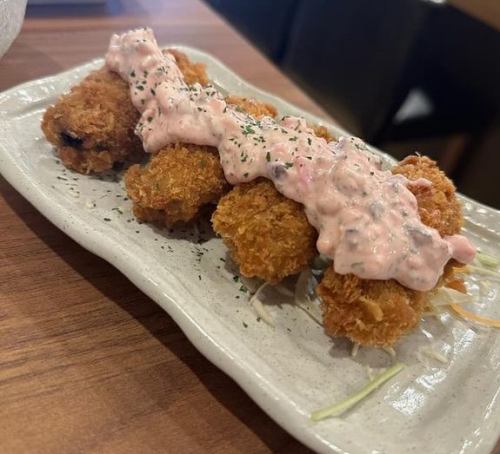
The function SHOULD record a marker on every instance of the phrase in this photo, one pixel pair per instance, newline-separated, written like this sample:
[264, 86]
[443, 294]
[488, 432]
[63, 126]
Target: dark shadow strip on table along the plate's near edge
[117, 288]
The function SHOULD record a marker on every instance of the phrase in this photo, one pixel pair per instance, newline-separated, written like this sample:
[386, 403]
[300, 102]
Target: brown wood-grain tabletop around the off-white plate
[87, 362]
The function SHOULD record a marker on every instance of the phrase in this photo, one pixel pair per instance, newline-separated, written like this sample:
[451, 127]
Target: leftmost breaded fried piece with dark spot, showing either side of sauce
[92, 127]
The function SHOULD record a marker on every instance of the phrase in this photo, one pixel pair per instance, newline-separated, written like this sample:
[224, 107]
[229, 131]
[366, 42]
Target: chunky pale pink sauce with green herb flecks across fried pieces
[367, 219]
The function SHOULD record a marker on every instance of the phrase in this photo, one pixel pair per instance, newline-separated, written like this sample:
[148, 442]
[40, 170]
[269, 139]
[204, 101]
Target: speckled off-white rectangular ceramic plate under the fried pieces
[293, 368]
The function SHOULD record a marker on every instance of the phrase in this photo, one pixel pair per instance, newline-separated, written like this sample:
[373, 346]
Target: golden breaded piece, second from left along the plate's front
[175, 184]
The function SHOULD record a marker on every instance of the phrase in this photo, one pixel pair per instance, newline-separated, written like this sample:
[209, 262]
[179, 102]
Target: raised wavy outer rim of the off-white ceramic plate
[213, 351]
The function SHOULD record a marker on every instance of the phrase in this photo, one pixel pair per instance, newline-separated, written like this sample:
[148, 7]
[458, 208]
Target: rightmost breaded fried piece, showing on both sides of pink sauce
[378, 313]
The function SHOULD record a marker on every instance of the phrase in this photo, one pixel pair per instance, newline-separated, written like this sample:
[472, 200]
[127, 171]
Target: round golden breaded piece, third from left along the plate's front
[267, 234]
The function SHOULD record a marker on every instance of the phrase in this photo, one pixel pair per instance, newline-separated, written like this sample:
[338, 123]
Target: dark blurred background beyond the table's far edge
[405, 75]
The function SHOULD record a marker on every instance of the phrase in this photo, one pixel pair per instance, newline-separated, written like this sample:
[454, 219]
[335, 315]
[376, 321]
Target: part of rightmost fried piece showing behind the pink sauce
[438, 205]
